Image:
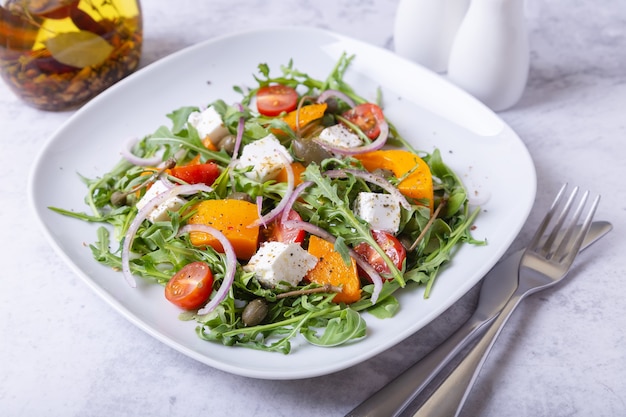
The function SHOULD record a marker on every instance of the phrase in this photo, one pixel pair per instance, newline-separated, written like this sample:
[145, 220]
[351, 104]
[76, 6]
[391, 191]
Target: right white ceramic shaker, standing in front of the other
[490, 53]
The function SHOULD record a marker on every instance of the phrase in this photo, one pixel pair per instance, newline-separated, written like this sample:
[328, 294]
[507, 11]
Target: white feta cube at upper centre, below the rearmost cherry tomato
[266, 156]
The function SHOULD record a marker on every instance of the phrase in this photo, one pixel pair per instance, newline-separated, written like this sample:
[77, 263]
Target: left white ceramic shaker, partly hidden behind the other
[424, 30]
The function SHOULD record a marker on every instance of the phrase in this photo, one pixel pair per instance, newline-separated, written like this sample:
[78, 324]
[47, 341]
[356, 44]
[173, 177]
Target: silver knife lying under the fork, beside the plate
[497, 287]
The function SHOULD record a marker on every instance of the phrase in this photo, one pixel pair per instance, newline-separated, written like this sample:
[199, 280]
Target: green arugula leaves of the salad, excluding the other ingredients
[159, 251]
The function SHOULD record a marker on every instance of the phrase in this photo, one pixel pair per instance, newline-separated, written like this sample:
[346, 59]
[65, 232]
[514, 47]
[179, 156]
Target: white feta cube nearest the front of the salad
[278, 262]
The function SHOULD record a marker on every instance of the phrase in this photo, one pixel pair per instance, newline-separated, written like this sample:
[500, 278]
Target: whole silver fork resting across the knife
[545, 262]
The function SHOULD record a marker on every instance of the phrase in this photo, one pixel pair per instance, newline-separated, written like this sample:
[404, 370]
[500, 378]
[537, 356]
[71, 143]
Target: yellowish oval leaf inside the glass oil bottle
[79, 49]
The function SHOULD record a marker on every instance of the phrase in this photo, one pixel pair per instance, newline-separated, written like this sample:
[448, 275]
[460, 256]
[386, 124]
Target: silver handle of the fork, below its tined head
[448, 399]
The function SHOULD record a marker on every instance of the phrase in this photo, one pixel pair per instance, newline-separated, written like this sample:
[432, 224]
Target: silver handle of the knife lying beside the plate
[393, 398]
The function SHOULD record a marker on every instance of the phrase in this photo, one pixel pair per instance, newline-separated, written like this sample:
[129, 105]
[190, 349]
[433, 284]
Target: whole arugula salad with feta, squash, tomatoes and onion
[288, 214]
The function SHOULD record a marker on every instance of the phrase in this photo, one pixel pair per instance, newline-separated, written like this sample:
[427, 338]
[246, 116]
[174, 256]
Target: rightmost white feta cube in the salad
[381, 211]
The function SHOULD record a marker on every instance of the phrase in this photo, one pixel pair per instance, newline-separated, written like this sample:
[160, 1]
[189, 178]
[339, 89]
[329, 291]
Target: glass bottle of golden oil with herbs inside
[58, 54]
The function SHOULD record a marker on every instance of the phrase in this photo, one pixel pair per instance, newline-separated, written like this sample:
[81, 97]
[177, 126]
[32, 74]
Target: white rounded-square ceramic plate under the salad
[427, 110]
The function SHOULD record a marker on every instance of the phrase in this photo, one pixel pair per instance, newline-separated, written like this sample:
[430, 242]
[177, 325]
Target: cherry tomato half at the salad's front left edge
[190, 287]
